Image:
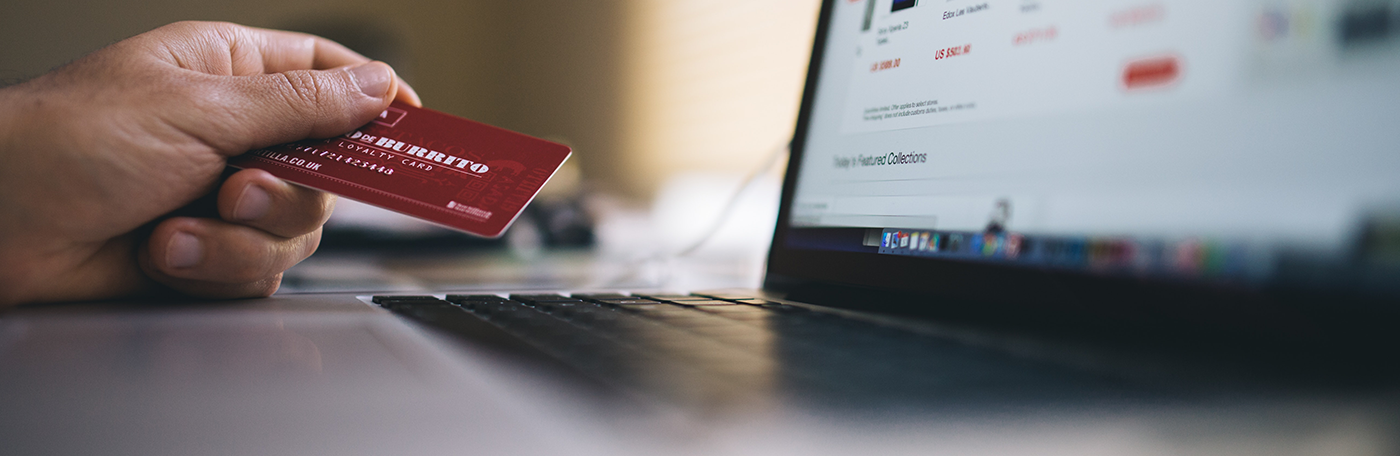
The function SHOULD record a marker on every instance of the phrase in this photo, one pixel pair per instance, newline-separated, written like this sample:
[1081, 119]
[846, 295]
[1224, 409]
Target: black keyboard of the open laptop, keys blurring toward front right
[720, 350]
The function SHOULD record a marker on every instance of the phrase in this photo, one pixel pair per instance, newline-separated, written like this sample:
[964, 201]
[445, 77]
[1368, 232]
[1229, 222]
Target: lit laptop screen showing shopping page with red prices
[1219, 142]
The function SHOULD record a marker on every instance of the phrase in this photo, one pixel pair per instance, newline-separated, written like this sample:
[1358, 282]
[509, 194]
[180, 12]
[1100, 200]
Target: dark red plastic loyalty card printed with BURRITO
[422, 163]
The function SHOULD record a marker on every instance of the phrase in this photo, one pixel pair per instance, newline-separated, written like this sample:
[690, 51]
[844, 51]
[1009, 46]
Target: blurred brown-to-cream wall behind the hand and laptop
[643, 90]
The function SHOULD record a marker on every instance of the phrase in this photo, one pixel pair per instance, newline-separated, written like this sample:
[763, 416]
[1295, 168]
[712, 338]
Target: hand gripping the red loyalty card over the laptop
[97, 155]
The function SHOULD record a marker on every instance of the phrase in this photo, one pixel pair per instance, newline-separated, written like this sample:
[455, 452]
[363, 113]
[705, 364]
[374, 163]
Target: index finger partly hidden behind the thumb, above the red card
[282, 51]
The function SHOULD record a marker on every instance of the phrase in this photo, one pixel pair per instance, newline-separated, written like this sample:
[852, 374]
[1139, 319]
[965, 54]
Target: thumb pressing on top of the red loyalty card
[260, 111]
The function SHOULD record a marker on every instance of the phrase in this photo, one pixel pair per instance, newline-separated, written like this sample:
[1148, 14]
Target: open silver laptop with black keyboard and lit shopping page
[1009, 227]
